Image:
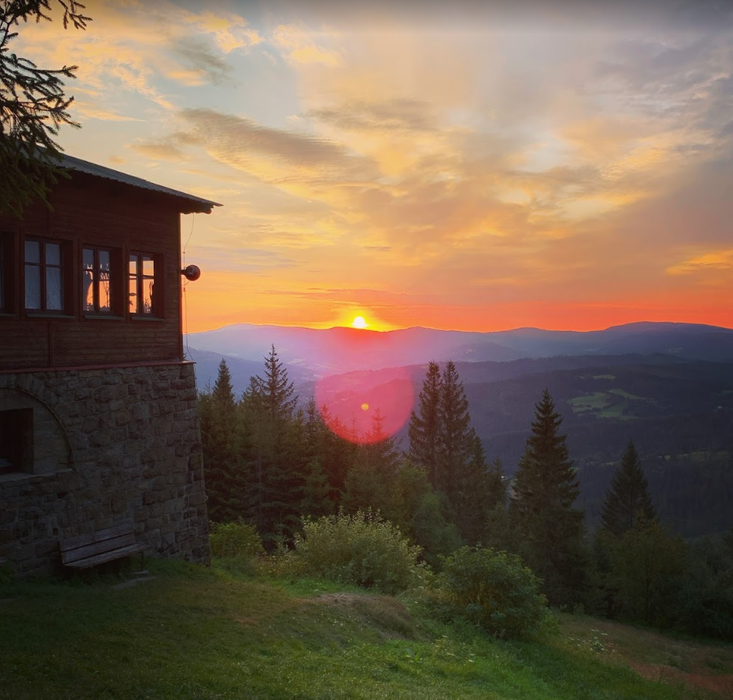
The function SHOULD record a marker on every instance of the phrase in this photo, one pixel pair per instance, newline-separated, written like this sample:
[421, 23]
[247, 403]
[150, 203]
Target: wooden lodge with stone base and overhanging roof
[97, 402]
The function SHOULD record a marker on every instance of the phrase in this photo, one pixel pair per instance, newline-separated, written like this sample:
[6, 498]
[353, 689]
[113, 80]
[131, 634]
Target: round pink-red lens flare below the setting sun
[365, 407]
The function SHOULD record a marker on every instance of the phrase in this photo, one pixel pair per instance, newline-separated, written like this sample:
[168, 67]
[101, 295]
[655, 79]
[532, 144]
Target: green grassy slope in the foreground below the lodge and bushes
[197, 633]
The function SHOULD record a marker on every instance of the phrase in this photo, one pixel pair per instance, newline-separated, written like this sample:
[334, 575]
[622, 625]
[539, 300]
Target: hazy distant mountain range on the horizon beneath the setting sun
[313, 353]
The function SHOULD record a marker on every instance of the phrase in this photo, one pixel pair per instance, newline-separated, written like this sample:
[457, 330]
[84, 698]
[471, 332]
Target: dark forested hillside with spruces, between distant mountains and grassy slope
[601, 531]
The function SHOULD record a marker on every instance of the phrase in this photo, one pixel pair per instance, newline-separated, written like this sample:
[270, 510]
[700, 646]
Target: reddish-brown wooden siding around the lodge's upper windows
[95, 212]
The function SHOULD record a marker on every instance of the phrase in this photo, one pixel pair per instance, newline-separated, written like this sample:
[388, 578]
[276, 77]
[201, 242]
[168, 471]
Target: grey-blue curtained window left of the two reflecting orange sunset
[44, 280]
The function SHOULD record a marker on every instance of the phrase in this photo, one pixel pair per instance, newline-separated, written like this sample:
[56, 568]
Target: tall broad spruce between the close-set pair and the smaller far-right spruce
[541, 509]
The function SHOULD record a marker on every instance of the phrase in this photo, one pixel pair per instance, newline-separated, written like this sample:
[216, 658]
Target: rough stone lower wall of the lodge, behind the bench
[109, 446]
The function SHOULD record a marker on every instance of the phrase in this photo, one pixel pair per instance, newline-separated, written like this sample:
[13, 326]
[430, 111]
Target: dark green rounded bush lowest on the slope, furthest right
[494, 590]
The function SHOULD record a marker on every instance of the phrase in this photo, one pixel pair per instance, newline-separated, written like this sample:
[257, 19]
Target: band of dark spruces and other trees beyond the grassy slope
[274, 461]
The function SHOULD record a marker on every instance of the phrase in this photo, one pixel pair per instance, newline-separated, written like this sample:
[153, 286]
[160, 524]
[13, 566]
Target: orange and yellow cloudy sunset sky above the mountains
[446, 166]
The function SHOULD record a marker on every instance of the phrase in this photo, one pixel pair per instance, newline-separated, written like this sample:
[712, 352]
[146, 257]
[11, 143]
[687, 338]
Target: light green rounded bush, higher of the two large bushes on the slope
[361, 549]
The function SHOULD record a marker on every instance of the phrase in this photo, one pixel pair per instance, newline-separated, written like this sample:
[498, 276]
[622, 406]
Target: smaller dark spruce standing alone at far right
[627, 499]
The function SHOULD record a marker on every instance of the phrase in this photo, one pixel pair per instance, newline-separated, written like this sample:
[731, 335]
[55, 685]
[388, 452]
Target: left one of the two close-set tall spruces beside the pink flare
[424, 425]
